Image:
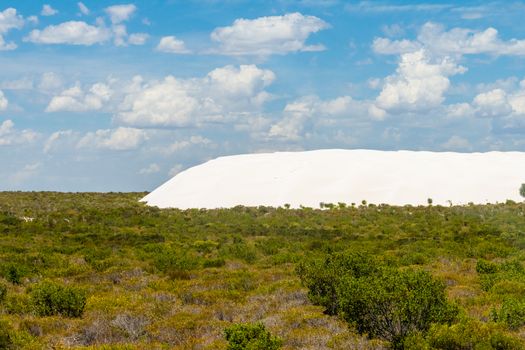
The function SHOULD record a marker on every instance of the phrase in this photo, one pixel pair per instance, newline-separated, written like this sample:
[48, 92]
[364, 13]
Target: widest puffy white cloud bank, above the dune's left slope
[225, 93]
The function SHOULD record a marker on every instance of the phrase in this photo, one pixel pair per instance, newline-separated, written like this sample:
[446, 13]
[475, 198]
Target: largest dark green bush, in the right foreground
[394, 304]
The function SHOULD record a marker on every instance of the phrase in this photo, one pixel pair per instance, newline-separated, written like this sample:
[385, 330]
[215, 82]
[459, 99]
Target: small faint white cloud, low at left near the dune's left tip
[120, 139]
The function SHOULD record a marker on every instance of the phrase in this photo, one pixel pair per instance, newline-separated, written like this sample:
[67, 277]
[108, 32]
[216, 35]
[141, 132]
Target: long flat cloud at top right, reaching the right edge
[455, 42]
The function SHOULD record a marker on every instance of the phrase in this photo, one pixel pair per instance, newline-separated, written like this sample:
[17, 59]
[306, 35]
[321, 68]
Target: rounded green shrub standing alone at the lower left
[50, 298]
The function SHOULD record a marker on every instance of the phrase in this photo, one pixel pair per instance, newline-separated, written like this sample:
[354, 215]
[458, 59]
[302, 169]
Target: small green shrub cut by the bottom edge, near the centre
[251, 337]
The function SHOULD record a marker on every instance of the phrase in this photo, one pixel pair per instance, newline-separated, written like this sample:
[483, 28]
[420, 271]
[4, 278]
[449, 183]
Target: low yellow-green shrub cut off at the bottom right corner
[471, 334]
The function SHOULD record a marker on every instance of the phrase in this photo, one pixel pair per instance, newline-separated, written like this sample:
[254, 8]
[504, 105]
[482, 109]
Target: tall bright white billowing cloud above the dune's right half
[418, 83]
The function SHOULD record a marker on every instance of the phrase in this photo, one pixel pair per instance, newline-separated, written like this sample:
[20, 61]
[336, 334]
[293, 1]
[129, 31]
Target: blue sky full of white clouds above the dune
[121, 96]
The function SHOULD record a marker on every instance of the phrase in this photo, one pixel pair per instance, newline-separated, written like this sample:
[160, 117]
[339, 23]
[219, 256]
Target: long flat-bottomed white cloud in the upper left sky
[72, 32]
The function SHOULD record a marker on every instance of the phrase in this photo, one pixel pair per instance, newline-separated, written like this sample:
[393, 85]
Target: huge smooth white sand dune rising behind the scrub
[332, 176]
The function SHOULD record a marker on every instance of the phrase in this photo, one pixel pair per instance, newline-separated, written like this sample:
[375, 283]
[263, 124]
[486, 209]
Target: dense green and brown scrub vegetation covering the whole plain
[102, 271]
